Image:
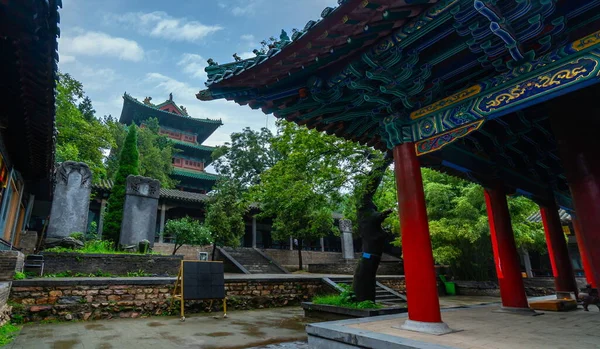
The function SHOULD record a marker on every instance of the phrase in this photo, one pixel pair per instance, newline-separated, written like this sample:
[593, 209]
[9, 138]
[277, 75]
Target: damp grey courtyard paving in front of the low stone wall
[243, 329]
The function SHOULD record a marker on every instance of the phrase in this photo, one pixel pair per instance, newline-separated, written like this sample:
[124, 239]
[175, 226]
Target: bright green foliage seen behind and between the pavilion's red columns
[459, 227]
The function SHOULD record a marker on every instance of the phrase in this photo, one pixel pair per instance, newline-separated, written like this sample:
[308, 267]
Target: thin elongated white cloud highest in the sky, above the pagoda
[160, 25]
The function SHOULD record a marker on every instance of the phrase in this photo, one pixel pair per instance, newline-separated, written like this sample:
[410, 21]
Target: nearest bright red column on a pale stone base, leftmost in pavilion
[421, 285]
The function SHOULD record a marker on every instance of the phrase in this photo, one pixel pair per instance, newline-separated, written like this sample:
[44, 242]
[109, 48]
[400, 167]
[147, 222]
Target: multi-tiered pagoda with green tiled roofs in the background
[189, 162]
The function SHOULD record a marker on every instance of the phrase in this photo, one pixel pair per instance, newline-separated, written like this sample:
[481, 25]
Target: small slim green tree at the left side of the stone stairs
[225, 214]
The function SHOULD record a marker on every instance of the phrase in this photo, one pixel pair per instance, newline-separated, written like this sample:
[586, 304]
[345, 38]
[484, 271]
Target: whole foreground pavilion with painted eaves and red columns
[500, 93]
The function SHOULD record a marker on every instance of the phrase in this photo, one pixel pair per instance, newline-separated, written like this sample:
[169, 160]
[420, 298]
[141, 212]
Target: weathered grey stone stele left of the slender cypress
[71, 201]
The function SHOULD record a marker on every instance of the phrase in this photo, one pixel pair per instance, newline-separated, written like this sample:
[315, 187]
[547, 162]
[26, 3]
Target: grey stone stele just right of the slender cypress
[139, 211]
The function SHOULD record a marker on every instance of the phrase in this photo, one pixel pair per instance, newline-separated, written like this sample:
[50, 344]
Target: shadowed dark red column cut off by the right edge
[579, 148]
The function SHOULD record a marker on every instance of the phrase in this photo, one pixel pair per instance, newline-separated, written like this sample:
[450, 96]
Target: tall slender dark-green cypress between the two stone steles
[129, 163]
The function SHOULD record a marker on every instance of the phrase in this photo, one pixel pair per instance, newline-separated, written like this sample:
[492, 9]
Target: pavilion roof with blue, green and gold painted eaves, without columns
[464, 80]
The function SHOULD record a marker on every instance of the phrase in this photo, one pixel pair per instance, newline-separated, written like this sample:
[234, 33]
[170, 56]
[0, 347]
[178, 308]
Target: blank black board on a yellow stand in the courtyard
[199, 280]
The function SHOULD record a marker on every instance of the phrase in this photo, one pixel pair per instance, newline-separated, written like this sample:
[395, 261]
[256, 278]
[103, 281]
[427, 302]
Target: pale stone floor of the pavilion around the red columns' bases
[480, 328]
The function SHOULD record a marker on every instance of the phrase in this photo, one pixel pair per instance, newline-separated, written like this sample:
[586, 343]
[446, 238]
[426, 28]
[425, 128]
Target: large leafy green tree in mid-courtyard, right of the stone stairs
[303, 188]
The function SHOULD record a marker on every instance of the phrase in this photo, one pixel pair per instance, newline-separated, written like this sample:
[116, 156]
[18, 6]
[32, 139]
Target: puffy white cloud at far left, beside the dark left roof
[101, 44]
